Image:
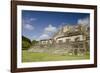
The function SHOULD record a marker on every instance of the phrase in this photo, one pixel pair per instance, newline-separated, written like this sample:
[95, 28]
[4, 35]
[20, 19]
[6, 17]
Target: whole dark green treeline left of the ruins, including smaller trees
[27, 43]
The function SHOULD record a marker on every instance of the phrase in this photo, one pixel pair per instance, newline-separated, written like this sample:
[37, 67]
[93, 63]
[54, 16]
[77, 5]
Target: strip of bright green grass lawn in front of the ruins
[37, 57]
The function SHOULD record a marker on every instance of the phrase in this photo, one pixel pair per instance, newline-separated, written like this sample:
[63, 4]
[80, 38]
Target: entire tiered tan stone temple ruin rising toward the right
[71, 39]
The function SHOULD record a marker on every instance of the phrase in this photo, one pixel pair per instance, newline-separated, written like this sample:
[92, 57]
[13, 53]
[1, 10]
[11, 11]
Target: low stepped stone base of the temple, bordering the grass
[61, 48]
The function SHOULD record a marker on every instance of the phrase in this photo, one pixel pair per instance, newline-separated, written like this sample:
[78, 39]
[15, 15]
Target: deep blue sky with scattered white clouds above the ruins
[37, 25]
